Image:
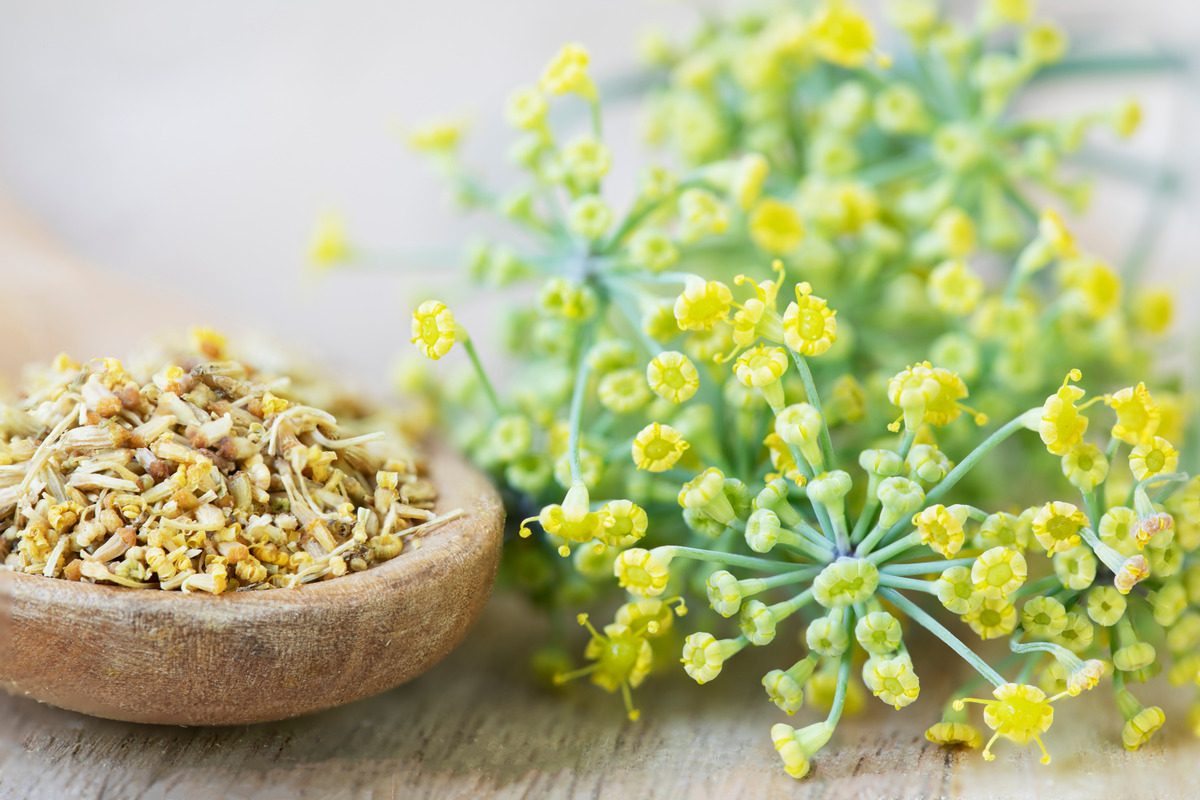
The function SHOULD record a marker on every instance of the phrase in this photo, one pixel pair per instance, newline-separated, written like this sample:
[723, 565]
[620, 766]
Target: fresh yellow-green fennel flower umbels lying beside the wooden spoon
[766, 382]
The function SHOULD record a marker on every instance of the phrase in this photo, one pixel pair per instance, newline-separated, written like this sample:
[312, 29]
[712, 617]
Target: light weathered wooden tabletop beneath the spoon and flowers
[478, 726]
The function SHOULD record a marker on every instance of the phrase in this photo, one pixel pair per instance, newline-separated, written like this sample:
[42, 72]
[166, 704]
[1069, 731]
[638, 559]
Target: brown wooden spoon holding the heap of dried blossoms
[191, 659]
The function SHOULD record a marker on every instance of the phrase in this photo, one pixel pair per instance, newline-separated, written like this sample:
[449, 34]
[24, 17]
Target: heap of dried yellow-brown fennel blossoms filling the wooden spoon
[199, 479]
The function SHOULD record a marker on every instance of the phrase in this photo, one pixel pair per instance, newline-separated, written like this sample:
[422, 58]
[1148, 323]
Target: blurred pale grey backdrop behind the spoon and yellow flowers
[190, 148]
